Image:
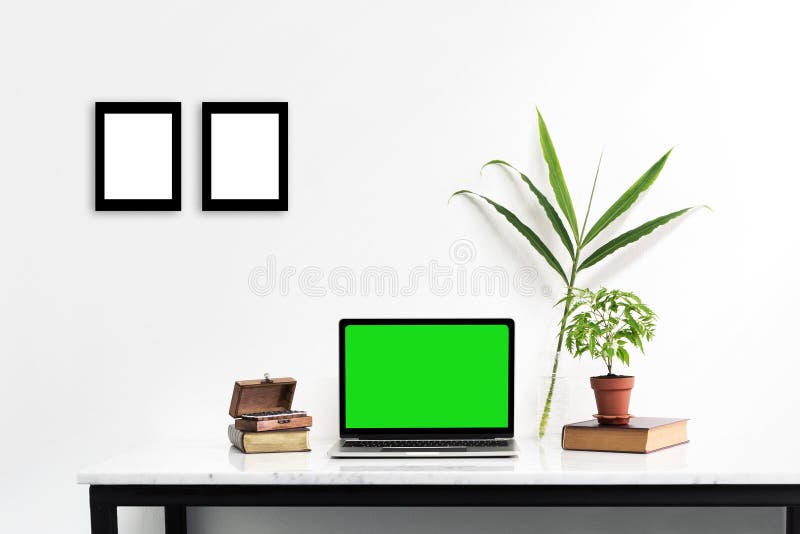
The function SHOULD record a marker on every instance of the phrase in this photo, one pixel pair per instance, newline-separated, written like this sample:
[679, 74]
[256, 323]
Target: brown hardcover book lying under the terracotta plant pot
[640, 435]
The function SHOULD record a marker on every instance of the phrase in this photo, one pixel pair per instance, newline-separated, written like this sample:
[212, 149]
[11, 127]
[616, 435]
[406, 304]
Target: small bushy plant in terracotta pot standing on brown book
[604, 325]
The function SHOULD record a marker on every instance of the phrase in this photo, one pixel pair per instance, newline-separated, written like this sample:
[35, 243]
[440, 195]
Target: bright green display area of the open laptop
[426, 375]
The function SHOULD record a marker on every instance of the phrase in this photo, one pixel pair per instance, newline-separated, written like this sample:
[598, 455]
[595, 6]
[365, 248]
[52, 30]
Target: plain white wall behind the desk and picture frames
[124, 329]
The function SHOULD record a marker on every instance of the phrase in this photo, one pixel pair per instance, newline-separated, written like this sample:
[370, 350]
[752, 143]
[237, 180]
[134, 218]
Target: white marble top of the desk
[693, 463]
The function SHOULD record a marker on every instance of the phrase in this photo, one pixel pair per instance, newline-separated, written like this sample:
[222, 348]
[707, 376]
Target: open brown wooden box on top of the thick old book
[256, 396]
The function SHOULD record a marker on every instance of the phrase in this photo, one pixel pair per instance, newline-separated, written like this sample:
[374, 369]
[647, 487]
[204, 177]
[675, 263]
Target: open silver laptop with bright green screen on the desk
[426, 388]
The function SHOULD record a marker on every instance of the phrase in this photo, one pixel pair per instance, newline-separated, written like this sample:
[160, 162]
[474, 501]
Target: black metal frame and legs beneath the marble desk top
[105, 499]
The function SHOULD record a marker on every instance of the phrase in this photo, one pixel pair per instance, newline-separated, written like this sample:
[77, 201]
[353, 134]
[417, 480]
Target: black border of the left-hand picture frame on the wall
[136, 204]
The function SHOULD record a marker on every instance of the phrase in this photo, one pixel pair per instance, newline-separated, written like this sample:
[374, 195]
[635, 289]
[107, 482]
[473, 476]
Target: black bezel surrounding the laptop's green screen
[425, 433]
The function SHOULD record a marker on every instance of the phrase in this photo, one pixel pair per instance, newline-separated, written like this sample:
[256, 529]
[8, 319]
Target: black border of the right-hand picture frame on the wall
[229, 204]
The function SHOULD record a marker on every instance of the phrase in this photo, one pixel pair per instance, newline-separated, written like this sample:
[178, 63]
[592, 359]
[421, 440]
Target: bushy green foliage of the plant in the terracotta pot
[605, 323]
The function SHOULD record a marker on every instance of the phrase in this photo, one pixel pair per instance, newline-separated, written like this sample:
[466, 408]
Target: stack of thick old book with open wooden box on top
[264, 418]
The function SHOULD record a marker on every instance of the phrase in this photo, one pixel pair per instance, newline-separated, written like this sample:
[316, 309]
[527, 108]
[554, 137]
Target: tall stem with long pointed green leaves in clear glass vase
[576, 239]
